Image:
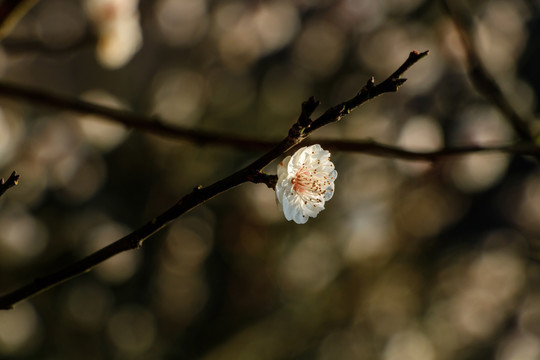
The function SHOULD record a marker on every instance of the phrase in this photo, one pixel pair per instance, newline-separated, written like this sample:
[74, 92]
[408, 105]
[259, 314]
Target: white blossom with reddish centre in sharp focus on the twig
[305, 182]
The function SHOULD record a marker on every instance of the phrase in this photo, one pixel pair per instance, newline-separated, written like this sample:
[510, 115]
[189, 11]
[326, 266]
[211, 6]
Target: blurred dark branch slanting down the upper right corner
[480, 77]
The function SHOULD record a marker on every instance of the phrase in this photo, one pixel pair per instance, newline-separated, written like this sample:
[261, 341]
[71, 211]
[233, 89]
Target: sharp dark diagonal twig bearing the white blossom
[298, 132]
